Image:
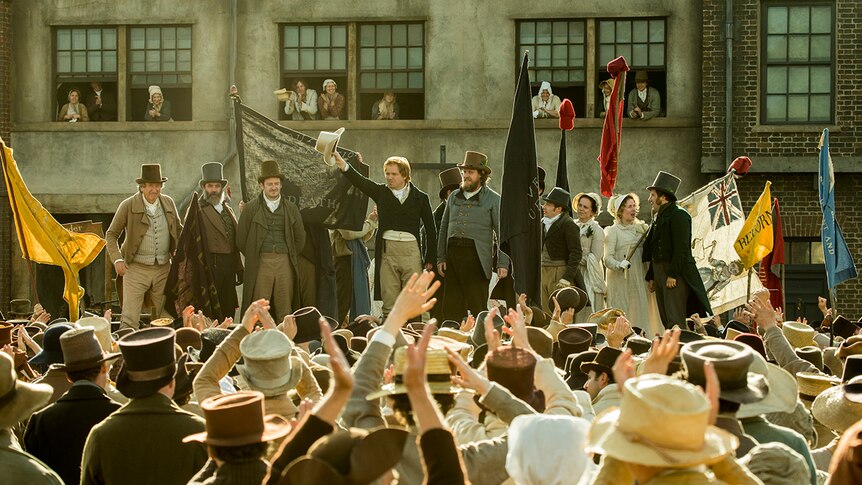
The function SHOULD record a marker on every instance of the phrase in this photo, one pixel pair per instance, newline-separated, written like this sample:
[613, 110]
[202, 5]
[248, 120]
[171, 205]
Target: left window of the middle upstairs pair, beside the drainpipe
[314, 53]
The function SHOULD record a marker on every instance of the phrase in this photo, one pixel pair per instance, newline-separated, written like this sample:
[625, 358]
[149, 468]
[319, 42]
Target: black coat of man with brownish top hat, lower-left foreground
[56, 434]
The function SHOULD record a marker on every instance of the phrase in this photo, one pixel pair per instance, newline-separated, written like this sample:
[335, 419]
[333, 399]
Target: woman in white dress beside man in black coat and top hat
[627, 289]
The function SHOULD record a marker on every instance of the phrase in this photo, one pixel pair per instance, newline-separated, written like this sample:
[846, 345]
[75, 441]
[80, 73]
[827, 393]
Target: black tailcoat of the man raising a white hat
[414, 214]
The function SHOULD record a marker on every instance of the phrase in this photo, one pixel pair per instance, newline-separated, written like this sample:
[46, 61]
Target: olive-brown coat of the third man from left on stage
[251, 232]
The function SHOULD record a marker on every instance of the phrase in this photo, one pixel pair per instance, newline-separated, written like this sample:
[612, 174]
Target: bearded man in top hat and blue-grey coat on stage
[466, 252]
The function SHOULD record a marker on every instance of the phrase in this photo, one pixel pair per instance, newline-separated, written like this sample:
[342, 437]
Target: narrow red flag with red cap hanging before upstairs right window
[612, 129]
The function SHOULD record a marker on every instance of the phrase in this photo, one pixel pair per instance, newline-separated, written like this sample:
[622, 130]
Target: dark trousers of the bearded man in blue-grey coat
[466, 283]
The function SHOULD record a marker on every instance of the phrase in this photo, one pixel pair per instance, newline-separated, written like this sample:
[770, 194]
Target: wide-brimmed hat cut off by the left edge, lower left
[18, 400]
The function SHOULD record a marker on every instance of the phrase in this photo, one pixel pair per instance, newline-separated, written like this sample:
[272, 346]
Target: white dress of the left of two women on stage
[592, 253]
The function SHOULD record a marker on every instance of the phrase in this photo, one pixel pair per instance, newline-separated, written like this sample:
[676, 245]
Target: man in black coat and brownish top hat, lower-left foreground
[57, 434]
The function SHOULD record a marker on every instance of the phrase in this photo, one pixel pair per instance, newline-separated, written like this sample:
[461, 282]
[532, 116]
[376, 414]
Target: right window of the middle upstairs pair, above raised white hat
[392, 59]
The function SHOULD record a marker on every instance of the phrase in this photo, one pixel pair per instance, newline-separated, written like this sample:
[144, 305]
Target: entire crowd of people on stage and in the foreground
[619, 375]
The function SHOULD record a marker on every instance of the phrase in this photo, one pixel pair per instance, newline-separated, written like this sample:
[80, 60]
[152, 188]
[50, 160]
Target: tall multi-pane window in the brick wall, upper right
[798, 63]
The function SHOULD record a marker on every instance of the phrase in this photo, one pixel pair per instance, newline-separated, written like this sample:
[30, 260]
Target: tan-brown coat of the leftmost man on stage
[131, 217]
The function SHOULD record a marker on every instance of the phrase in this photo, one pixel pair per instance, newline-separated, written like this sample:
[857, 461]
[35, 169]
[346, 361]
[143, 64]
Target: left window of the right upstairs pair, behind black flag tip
[557, 55]
